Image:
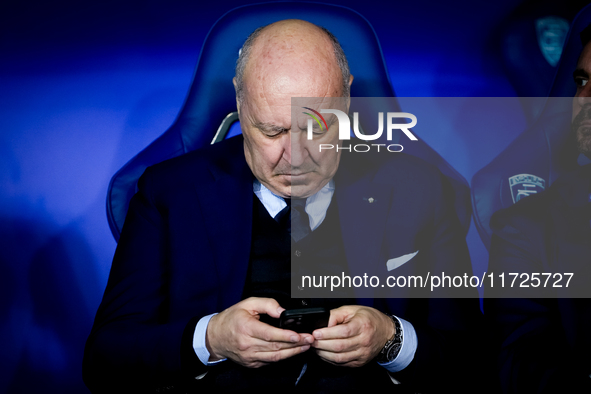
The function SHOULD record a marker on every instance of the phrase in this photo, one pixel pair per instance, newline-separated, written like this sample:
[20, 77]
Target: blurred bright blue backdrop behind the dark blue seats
[85, 86]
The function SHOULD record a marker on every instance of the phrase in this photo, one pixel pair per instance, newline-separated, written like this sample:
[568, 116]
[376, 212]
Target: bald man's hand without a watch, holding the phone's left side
[237, 334]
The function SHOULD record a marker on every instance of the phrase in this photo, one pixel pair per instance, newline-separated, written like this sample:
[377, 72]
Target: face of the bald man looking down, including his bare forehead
[280, 68]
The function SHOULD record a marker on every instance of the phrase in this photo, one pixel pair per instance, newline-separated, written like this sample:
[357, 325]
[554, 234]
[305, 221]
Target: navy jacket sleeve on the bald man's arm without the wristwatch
[133, 345]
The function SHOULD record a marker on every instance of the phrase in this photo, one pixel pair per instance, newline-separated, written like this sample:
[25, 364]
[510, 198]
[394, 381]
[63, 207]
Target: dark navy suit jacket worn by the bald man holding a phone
[185, 246]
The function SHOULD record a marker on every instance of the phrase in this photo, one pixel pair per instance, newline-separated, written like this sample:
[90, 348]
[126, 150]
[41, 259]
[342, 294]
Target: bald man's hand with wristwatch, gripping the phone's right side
[354, 336]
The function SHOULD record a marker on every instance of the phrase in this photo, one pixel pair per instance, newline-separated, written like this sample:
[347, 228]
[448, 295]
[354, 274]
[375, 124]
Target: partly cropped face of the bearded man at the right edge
[581, 124]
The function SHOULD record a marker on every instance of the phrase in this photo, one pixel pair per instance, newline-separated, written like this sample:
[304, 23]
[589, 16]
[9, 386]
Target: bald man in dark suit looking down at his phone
[204, 252]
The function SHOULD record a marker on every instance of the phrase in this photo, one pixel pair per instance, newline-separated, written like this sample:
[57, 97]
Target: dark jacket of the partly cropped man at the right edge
[544, 338]
